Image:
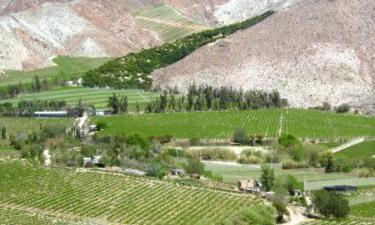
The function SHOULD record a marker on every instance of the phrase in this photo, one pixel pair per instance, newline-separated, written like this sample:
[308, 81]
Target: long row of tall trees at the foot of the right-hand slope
[204, 98]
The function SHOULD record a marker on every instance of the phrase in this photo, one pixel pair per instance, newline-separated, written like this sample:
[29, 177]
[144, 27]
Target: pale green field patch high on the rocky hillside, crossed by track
[167, 22]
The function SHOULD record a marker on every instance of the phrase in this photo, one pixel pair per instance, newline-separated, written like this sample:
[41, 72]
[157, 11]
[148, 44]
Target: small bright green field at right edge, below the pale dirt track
[362, 151]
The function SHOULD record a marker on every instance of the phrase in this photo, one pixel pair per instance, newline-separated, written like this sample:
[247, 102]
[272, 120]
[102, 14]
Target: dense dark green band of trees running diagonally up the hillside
[133, 70]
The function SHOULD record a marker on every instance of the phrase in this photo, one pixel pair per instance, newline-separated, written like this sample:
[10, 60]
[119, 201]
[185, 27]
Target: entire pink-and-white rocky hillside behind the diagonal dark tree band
[33, 32]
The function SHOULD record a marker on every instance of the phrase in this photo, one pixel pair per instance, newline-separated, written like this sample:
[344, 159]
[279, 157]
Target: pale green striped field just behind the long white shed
[90, 96]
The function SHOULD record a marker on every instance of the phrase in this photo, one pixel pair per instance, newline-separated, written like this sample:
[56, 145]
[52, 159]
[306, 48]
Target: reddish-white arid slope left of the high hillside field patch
[38, 32]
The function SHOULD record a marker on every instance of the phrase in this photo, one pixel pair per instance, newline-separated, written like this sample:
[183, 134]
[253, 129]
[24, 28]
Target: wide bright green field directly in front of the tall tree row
[270, 123]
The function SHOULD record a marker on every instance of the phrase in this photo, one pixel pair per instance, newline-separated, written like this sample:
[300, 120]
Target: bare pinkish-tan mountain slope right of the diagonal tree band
[319, 50]
